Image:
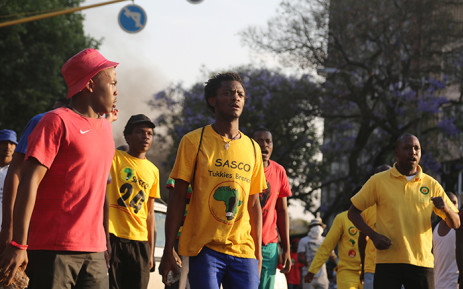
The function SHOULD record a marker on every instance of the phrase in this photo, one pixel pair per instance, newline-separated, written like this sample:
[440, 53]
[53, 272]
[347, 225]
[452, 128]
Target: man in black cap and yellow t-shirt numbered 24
[131, 197]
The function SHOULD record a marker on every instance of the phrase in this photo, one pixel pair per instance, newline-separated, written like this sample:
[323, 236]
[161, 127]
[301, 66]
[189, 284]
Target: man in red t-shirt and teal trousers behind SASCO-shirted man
[274, 212]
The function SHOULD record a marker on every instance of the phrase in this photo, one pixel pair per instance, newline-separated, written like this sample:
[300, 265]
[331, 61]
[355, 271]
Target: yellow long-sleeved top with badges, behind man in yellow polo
[344, 234]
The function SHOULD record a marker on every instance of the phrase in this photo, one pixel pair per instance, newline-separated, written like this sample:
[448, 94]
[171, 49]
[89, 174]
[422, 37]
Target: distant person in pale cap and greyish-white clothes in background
[306, 250]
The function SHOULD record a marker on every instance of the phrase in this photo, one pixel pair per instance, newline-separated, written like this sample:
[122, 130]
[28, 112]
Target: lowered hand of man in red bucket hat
[10, 261]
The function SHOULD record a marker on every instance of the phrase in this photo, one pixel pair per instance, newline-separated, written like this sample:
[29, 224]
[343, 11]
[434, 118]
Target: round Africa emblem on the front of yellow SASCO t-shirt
[225, 202]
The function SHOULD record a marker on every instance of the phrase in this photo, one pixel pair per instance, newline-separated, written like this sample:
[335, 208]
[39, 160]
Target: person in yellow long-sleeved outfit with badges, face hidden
[344, 234]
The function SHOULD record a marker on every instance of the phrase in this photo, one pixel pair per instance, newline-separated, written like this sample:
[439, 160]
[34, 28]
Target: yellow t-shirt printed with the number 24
[134, 181]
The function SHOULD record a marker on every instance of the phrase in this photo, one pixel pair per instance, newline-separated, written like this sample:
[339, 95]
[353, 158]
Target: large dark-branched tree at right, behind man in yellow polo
[390, 67]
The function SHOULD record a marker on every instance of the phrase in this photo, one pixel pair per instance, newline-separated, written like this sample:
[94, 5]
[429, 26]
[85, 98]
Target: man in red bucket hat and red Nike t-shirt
[58, 214]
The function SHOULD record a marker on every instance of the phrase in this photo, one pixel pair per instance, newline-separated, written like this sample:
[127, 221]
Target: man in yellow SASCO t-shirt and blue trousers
[222, 232]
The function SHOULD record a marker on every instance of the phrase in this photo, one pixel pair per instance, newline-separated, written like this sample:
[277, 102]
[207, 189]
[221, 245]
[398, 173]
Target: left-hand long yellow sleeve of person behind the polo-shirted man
[331, 240]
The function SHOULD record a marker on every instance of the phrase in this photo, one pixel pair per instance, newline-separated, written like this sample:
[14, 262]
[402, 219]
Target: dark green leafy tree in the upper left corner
[32, 56]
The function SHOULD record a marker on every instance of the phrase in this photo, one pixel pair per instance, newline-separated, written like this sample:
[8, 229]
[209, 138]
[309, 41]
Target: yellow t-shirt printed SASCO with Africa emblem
[218, 217]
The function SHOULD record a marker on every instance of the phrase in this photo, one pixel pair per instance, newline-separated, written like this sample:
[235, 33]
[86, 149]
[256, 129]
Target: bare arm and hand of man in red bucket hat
[13, 258]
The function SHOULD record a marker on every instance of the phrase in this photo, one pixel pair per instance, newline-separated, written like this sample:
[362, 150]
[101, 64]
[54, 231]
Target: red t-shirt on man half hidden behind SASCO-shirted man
[278, 187]
